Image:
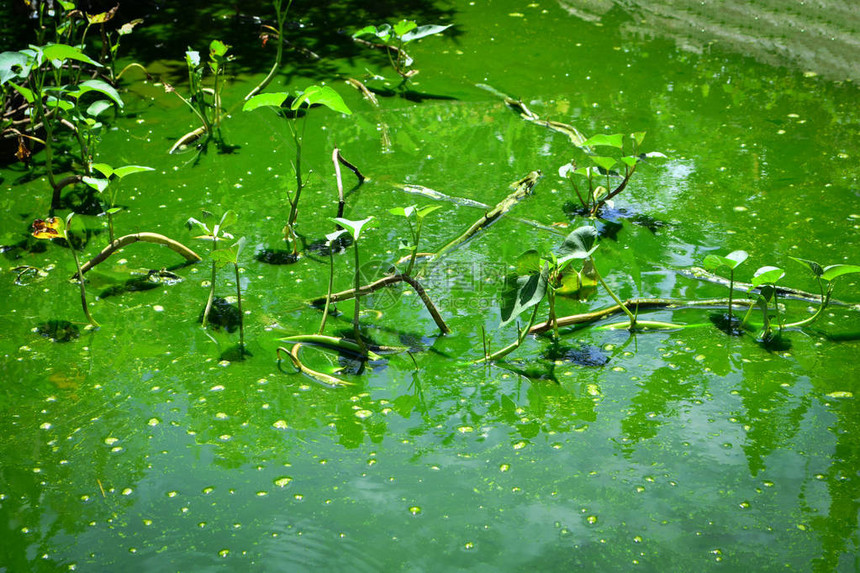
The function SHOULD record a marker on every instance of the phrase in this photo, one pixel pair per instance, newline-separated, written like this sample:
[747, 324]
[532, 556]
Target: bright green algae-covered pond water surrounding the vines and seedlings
[136, 447]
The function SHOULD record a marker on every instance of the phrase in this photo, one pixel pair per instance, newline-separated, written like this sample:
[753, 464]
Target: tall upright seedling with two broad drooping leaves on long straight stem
[313, 95]
